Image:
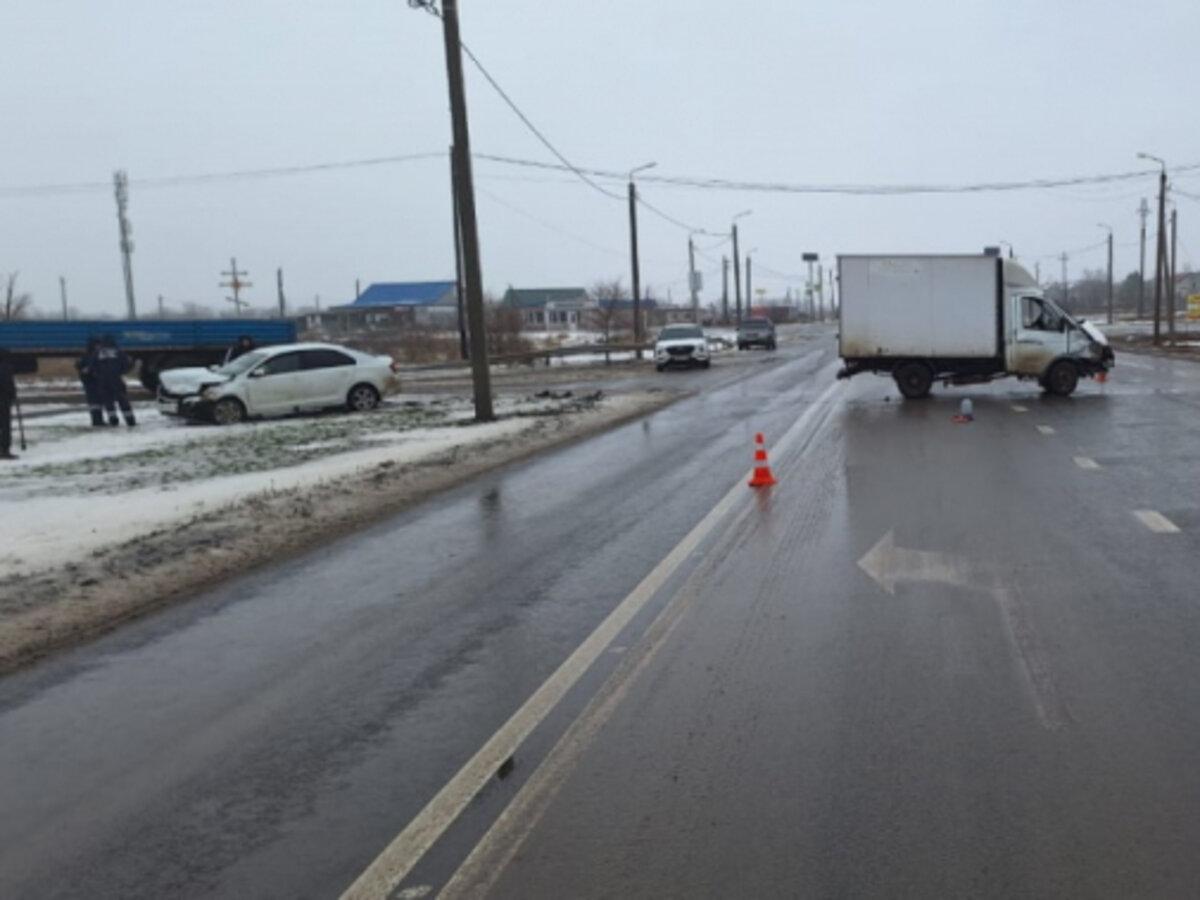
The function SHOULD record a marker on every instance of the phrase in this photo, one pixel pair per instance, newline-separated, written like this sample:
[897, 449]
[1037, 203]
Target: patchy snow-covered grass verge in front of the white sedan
[79, 489]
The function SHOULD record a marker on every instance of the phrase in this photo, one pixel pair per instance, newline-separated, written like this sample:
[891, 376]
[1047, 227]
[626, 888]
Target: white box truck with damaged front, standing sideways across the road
[959, 320]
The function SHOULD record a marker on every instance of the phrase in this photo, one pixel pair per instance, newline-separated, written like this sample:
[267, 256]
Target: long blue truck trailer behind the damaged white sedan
[155, 344]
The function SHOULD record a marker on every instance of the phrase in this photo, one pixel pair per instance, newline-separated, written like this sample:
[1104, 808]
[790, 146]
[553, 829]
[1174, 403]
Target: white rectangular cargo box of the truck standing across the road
[921, 307]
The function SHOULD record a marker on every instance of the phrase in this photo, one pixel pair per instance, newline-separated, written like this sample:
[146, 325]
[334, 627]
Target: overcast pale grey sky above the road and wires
[781, 91]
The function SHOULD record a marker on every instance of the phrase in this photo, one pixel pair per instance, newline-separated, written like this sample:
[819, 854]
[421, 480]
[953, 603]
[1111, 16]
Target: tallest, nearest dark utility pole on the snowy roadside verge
[473, 275]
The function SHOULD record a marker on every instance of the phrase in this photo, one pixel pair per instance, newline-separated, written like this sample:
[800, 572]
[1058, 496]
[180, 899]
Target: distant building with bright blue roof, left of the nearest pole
[388, 305]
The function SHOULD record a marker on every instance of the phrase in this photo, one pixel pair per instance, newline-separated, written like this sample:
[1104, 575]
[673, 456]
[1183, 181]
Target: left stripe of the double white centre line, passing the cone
[391, 868]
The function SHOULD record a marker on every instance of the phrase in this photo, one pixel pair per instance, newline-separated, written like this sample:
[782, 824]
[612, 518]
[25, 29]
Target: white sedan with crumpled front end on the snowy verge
[279, 381]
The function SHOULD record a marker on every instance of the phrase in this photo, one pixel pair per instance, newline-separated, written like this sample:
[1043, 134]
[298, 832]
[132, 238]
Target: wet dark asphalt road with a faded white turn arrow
[935, 659]
